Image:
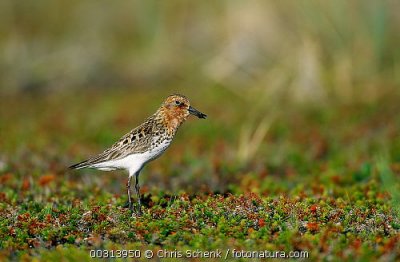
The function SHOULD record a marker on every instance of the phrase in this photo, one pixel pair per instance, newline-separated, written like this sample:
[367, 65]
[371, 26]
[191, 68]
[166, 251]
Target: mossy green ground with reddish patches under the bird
[324, 180]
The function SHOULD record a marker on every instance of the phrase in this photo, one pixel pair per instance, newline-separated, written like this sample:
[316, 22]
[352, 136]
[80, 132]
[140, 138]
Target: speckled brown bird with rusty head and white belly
[144, 143]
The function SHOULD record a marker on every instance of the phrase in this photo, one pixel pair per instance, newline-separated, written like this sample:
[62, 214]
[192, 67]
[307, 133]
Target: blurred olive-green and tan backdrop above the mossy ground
[307, 50]
